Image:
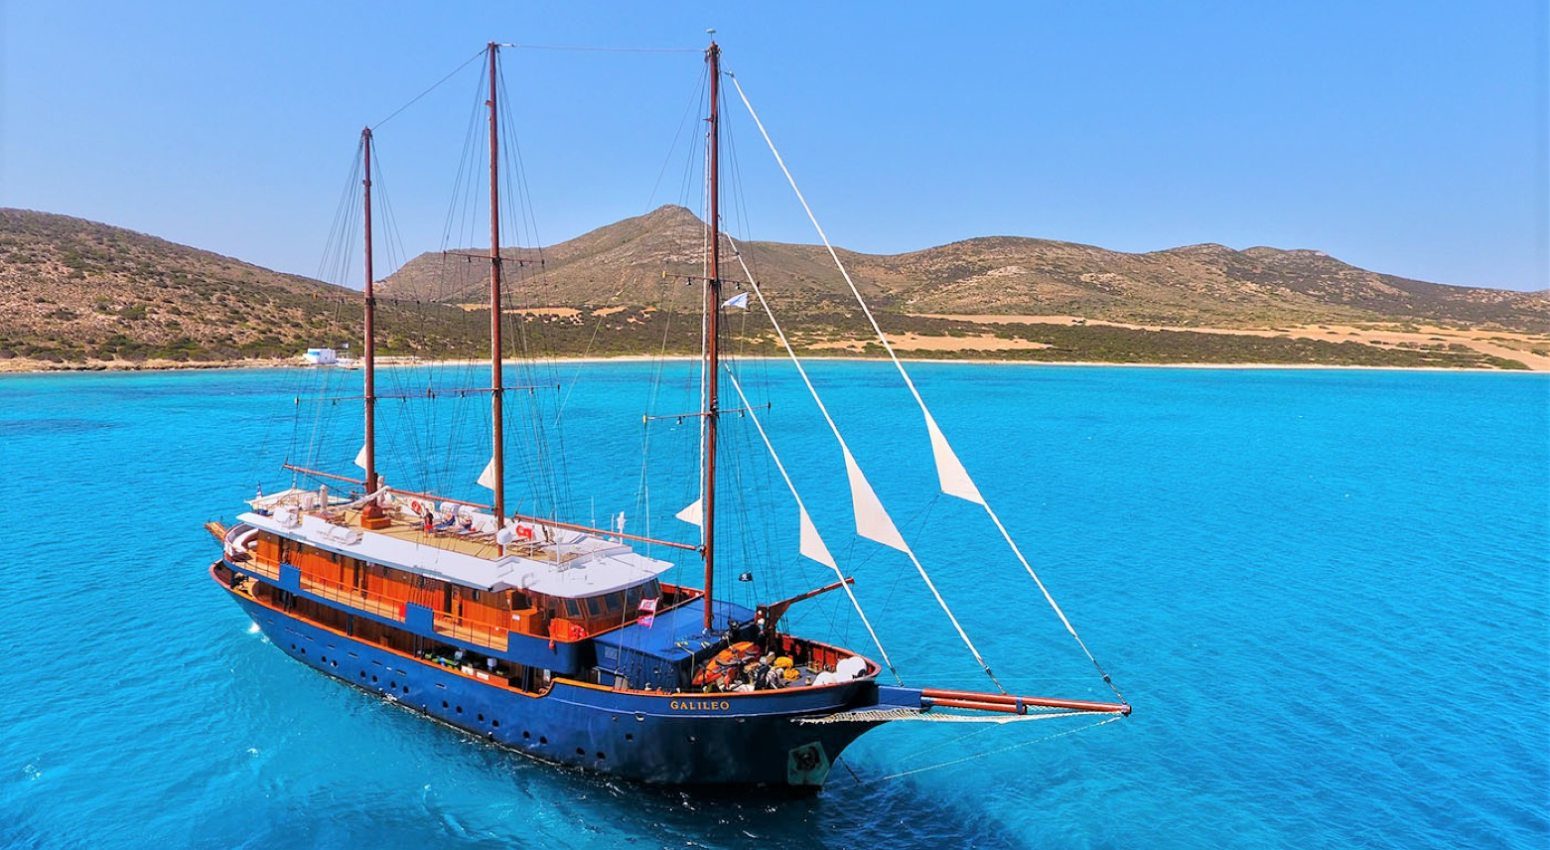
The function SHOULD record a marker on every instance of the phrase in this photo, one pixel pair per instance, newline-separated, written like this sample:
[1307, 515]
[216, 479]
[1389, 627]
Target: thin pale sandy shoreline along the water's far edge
[40, 368]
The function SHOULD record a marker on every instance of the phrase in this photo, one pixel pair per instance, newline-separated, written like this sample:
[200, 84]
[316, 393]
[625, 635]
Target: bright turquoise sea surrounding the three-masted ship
[1328, 595]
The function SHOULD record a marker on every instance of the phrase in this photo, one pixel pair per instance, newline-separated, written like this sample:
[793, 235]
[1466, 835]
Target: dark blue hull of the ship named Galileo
[683, 739]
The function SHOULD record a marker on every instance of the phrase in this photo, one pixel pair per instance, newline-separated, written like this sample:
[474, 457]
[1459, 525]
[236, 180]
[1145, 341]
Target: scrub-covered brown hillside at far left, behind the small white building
[75, 291]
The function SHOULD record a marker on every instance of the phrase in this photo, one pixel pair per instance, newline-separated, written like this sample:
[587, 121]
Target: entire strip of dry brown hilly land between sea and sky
[77, 294]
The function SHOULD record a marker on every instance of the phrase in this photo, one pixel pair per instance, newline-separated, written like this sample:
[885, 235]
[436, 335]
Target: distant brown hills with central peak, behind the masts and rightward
[1204, 286]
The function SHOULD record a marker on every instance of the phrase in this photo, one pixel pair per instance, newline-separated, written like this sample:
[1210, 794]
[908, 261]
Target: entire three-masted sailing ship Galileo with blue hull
[563, 641]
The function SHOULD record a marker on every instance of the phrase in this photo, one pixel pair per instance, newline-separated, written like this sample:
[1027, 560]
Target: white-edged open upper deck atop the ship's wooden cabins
[540, 559]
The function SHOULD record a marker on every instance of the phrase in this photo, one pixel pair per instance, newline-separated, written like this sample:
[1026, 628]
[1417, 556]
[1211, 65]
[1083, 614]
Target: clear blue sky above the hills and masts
[1400, 137]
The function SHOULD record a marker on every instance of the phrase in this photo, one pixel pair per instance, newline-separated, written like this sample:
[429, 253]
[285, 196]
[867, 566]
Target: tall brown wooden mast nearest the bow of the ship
[712, 331]
